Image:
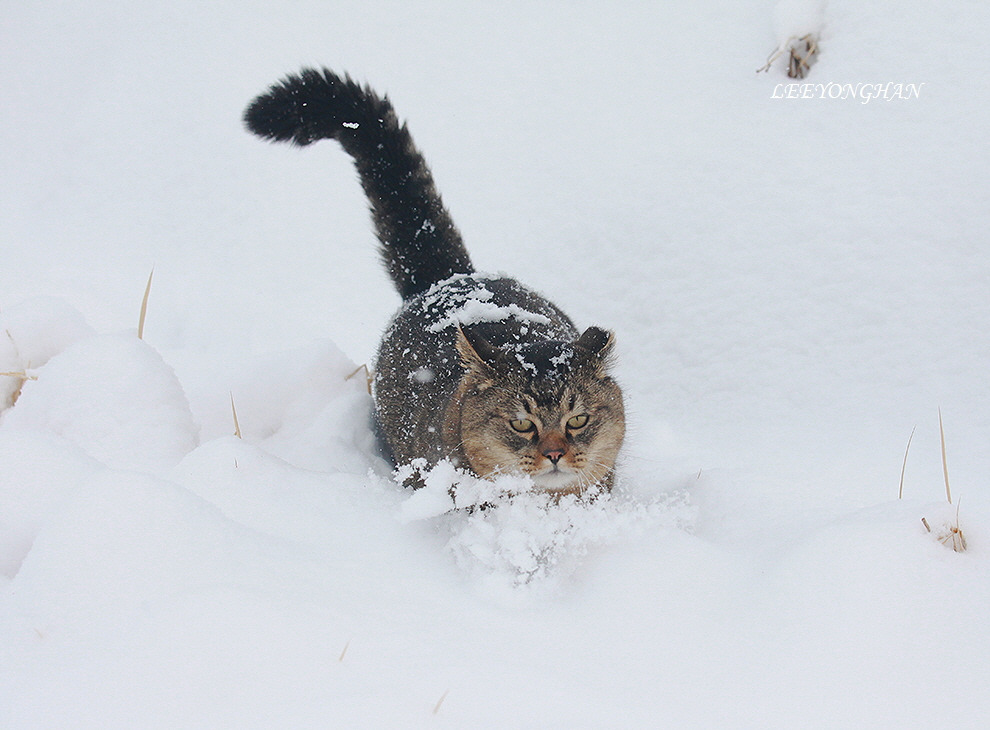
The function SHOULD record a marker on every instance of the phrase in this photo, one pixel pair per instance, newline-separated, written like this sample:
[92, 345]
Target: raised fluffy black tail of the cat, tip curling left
[419, 242]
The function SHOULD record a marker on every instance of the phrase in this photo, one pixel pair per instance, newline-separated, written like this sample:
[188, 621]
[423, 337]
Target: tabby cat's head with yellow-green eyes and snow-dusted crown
[547, 409]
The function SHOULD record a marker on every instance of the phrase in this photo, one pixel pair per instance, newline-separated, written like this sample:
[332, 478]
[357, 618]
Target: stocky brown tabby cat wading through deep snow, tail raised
[473, 368]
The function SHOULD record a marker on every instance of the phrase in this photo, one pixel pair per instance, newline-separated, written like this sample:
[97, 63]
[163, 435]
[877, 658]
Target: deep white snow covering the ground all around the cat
[795, 284]
